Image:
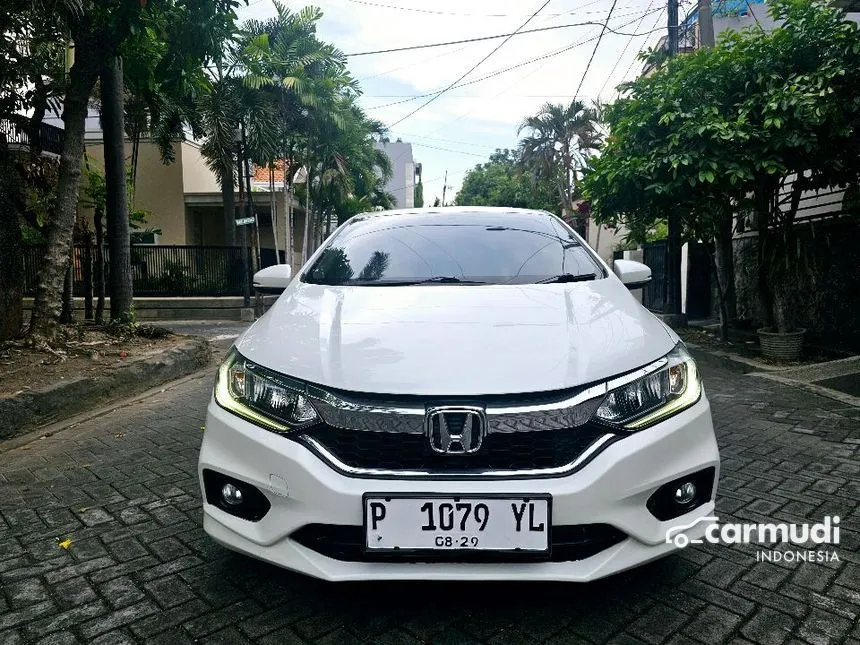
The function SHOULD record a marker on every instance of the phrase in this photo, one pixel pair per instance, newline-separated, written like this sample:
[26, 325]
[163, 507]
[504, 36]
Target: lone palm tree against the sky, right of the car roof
[560, 140]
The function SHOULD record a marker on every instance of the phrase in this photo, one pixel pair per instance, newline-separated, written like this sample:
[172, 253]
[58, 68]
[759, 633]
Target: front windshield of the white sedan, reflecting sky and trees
[455, 249]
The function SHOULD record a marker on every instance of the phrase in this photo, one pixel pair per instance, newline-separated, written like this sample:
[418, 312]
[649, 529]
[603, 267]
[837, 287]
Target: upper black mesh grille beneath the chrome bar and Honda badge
[500, 451]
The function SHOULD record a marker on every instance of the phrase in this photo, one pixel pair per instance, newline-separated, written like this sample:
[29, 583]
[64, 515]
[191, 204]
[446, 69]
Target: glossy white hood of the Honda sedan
[440, 340]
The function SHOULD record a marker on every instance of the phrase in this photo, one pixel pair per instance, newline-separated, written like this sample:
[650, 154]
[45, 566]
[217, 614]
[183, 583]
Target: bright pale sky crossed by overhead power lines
[464, 125]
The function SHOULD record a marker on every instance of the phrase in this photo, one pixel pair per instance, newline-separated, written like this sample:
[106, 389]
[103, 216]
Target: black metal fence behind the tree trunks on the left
[157, 271]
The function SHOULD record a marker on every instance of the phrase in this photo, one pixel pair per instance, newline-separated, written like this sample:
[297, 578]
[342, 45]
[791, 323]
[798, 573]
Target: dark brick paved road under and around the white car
[123, 487]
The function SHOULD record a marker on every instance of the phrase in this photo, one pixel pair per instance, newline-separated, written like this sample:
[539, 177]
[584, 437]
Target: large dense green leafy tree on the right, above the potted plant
[750, 124]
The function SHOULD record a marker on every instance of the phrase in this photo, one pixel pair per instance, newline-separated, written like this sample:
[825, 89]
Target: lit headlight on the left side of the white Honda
[262, 396]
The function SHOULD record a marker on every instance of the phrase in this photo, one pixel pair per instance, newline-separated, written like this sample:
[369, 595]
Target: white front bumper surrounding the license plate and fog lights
[303, 490]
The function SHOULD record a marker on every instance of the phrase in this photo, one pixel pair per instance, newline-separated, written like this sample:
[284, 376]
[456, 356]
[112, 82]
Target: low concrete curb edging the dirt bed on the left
[28, 410]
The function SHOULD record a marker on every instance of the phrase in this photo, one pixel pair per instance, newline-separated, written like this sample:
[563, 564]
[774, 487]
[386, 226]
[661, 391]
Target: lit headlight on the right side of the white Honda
[672, 385]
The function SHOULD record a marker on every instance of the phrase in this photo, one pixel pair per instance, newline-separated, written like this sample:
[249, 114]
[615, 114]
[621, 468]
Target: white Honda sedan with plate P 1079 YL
[457, 394]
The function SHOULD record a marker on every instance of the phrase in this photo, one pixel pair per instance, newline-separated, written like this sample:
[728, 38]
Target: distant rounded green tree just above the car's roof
[502, 181]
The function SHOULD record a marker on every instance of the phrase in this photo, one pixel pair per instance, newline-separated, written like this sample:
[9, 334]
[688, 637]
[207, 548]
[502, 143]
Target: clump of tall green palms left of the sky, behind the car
[296, 100]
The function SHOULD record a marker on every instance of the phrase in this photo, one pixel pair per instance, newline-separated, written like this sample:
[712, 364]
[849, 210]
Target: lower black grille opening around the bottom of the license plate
[568, 543]
